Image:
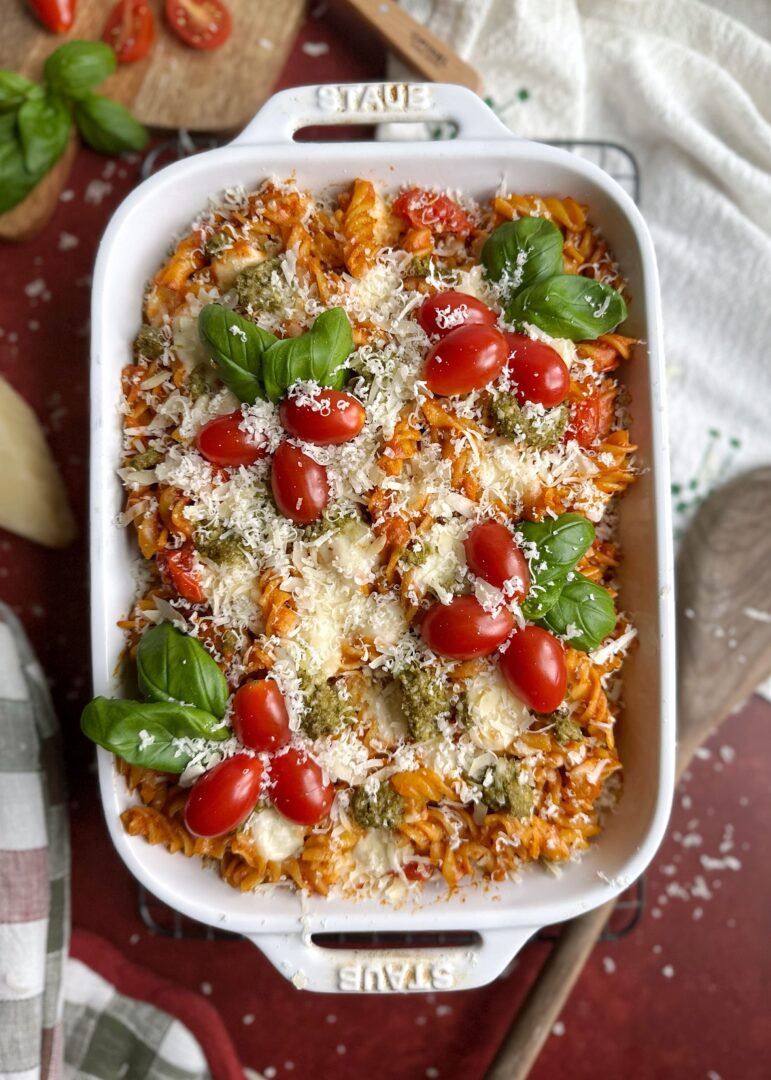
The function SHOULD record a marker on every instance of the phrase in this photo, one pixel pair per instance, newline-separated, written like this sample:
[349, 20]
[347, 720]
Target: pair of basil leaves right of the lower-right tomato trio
[561, 599]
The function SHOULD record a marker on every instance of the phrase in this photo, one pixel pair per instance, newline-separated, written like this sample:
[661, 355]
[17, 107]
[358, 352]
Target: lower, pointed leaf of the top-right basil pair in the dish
[570, 306]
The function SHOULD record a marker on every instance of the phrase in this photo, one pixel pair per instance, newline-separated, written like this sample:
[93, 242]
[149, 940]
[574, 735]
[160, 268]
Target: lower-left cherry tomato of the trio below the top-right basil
[468, 359]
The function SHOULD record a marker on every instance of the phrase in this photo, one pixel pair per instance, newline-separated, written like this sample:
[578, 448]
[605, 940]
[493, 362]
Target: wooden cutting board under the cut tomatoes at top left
[174, 87]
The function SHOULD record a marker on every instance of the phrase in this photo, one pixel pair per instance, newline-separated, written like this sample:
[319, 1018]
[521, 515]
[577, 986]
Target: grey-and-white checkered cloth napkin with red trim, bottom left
[70, 1004]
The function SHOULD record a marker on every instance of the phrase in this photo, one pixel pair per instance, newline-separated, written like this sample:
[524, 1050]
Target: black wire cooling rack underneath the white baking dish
[165, 922]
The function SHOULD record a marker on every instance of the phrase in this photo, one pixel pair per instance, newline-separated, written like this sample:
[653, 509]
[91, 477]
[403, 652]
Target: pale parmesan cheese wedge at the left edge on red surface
[33, 499]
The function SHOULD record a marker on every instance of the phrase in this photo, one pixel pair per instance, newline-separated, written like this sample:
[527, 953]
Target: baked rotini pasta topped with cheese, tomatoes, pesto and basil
[372, 449]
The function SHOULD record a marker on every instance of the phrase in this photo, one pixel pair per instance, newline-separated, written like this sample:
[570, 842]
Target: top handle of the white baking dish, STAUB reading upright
[372, 103]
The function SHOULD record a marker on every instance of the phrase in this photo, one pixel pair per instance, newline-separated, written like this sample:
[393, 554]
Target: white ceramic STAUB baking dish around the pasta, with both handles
[483, 156]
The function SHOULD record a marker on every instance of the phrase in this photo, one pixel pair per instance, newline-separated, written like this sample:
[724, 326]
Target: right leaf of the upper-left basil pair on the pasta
[319, 356]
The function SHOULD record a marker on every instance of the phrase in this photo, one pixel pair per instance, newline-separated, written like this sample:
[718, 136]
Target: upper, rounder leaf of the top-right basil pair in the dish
[520, 253]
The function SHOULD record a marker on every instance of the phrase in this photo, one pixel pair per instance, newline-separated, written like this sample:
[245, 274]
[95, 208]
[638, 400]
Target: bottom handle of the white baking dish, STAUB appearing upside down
[341, 970]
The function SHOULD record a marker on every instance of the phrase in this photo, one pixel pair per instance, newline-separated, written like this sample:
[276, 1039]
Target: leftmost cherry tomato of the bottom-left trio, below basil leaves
[225, 796]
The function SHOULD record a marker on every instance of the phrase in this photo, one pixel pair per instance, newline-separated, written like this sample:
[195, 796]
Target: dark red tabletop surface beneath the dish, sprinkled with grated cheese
[686, 995]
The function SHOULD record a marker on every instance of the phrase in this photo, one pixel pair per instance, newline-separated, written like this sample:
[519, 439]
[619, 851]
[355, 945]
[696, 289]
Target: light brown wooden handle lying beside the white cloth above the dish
[415, 45]
